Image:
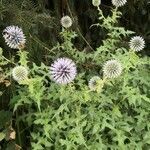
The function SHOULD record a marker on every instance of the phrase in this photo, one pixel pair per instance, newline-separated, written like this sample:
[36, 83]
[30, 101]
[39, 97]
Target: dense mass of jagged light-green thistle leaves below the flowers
[72, 117]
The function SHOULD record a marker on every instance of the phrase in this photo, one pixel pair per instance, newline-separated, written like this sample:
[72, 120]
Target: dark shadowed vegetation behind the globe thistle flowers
[40, 20]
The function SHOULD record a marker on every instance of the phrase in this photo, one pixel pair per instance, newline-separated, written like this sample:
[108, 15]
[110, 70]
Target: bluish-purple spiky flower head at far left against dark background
[14, 37]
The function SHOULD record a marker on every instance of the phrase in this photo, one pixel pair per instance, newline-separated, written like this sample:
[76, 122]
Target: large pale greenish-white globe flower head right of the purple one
[112, 69]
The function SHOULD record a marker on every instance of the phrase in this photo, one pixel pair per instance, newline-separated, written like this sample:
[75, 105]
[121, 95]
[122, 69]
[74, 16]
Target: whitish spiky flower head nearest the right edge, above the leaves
[137, 43]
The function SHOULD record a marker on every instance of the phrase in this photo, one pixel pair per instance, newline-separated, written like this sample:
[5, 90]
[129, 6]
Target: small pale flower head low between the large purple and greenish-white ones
[93, 83]
